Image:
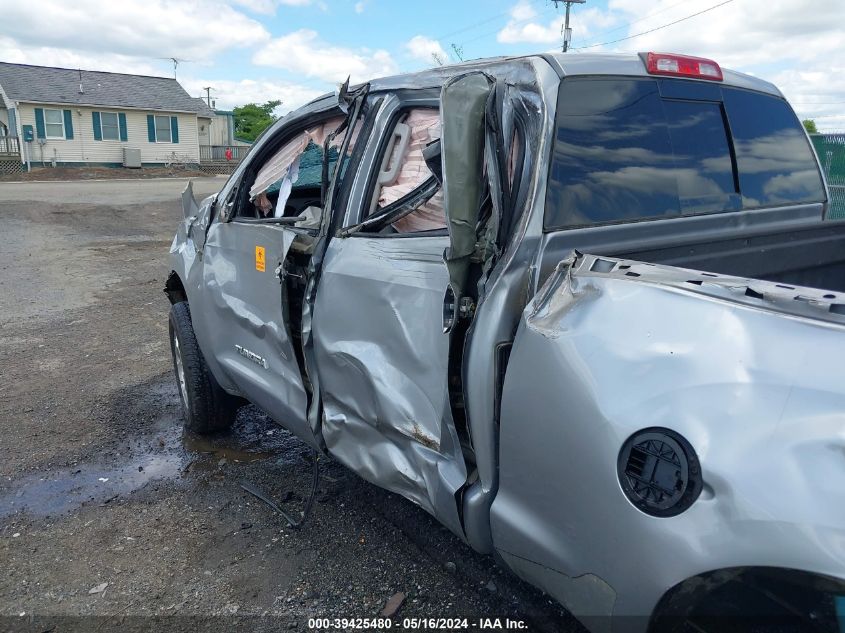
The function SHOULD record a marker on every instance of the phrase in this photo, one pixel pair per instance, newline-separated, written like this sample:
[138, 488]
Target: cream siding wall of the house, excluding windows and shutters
[84, 149]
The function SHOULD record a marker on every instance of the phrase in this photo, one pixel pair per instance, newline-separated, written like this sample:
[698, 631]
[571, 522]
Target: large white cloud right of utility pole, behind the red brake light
[794, 45]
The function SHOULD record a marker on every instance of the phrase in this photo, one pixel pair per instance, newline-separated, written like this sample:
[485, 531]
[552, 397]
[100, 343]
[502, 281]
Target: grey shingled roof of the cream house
[44, 84]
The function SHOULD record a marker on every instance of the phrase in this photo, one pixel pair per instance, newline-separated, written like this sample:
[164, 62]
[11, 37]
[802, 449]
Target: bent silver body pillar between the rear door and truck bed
[530, 95]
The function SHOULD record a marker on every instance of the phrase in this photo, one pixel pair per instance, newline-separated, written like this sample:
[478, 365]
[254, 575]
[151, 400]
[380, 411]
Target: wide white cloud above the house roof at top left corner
[194, 30]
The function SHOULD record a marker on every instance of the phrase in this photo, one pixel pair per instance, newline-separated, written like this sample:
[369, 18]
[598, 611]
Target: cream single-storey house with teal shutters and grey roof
[81, 117]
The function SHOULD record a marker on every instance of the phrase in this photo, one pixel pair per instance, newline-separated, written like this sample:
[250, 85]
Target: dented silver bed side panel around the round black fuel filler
[757, 390]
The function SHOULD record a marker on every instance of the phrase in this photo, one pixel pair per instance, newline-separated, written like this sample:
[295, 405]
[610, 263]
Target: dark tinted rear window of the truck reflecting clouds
[623, 152]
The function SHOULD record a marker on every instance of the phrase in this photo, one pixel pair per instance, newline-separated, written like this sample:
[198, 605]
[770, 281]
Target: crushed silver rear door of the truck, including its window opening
[382, 321]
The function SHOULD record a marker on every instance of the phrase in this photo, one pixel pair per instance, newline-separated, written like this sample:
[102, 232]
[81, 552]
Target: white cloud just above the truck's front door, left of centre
[303, 52]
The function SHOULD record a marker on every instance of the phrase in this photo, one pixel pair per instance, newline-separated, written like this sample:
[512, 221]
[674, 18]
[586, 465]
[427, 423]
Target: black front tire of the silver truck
[206, 407]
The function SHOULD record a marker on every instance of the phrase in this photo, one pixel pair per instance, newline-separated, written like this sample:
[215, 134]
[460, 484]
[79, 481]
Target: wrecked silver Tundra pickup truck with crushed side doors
[480, 287]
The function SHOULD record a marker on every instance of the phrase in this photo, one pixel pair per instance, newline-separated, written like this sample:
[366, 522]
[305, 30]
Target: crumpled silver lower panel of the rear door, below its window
[382, 358]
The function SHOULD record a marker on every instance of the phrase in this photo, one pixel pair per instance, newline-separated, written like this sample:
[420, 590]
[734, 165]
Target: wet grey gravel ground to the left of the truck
[112, 519]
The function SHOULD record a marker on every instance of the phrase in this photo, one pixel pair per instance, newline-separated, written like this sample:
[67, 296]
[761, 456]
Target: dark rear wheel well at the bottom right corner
[725, 596]
